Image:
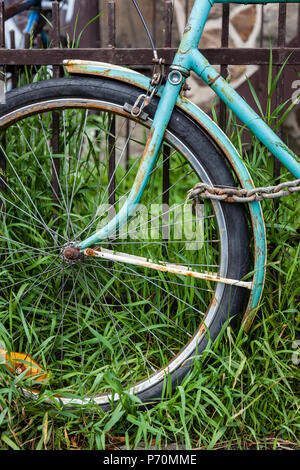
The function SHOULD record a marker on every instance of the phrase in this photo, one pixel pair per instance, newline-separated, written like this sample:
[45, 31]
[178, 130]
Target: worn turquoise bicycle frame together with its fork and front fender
[189, 58]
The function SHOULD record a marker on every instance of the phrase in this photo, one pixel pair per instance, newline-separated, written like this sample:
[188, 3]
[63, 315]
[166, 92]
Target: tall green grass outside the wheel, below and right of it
[246, 395]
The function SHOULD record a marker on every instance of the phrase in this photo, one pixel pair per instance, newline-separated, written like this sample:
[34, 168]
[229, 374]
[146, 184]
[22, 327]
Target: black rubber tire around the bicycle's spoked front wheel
[204, 153]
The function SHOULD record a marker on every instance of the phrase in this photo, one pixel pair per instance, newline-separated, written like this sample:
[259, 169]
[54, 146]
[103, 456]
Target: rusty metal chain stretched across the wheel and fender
[227, 194]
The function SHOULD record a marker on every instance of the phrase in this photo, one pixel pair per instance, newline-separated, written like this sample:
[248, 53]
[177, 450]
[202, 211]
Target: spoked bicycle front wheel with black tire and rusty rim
[102, 327]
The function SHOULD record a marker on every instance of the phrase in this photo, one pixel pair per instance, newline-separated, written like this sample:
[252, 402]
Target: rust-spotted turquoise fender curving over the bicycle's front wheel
[115, 72]
